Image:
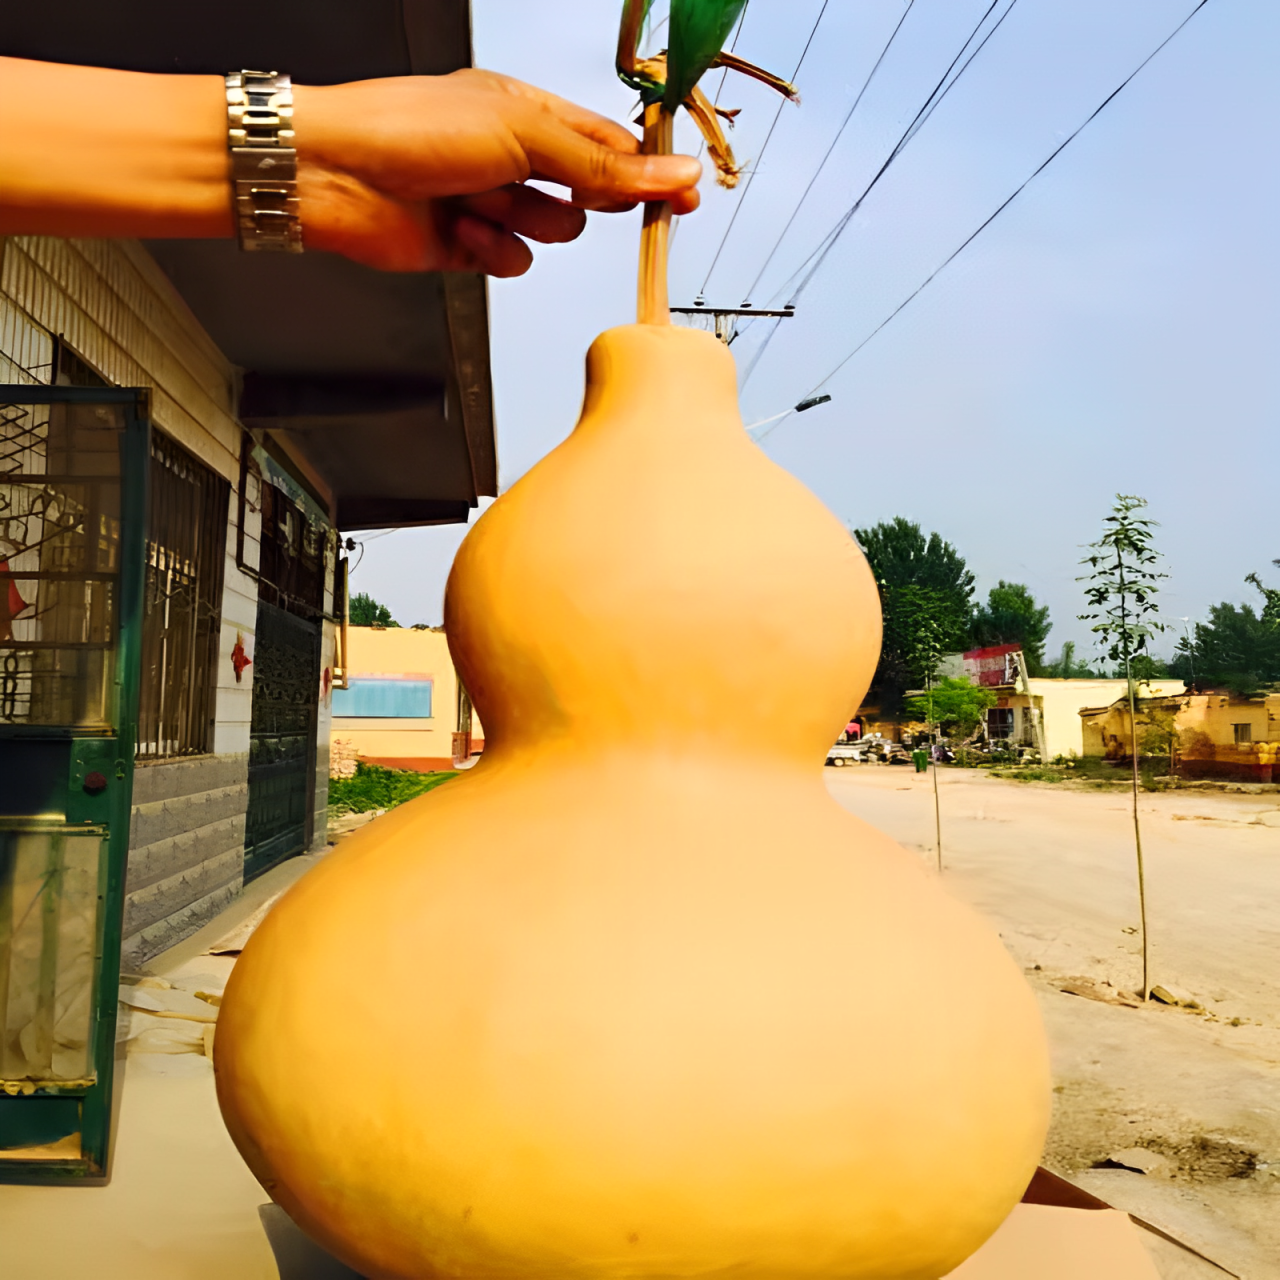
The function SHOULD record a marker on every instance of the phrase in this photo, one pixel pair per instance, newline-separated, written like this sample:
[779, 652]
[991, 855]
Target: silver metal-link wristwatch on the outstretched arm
[264, 164]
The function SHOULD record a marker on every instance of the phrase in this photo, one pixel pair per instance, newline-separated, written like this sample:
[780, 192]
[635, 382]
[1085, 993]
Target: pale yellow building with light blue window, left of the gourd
[404, 706]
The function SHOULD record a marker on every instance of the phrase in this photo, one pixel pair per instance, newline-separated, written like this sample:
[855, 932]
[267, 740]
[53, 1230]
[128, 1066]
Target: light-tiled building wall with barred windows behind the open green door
[239, 609]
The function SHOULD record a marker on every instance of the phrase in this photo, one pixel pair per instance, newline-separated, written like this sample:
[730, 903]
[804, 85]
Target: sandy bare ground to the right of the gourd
[1054, 868]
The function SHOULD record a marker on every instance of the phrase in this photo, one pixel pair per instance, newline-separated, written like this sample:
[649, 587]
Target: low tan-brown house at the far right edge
[1210, 735]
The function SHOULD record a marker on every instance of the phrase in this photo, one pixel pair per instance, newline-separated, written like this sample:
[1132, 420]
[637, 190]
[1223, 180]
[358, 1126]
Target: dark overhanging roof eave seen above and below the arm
[373, 388]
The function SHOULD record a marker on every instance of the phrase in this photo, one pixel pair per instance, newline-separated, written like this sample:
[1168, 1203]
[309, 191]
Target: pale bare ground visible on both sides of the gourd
[1052, 867]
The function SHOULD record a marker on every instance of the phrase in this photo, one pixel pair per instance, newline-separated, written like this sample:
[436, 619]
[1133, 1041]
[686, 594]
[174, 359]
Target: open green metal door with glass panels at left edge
[74, 479]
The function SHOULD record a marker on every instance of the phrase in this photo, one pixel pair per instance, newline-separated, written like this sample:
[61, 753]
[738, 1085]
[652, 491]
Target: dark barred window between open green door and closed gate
[182, 605]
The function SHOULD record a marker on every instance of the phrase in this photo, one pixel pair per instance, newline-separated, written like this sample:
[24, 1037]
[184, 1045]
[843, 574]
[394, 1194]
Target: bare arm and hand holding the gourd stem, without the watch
[409, 173]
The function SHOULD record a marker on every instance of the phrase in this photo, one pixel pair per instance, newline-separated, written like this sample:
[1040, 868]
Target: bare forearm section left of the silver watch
[89, 152]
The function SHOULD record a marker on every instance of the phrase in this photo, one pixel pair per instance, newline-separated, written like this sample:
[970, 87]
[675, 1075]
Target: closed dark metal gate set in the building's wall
[282, 738]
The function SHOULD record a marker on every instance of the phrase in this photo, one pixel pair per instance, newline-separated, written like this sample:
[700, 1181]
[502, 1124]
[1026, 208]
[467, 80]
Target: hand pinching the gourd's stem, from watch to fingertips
[428, 172]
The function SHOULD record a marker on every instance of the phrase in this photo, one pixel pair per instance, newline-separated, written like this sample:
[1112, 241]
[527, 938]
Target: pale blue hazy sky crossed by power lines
[1116, 331]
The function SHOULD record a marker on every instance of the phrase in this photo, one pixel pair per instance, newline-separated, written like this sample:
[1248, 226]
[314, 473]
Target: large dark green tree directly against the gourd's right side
[926, 597]
